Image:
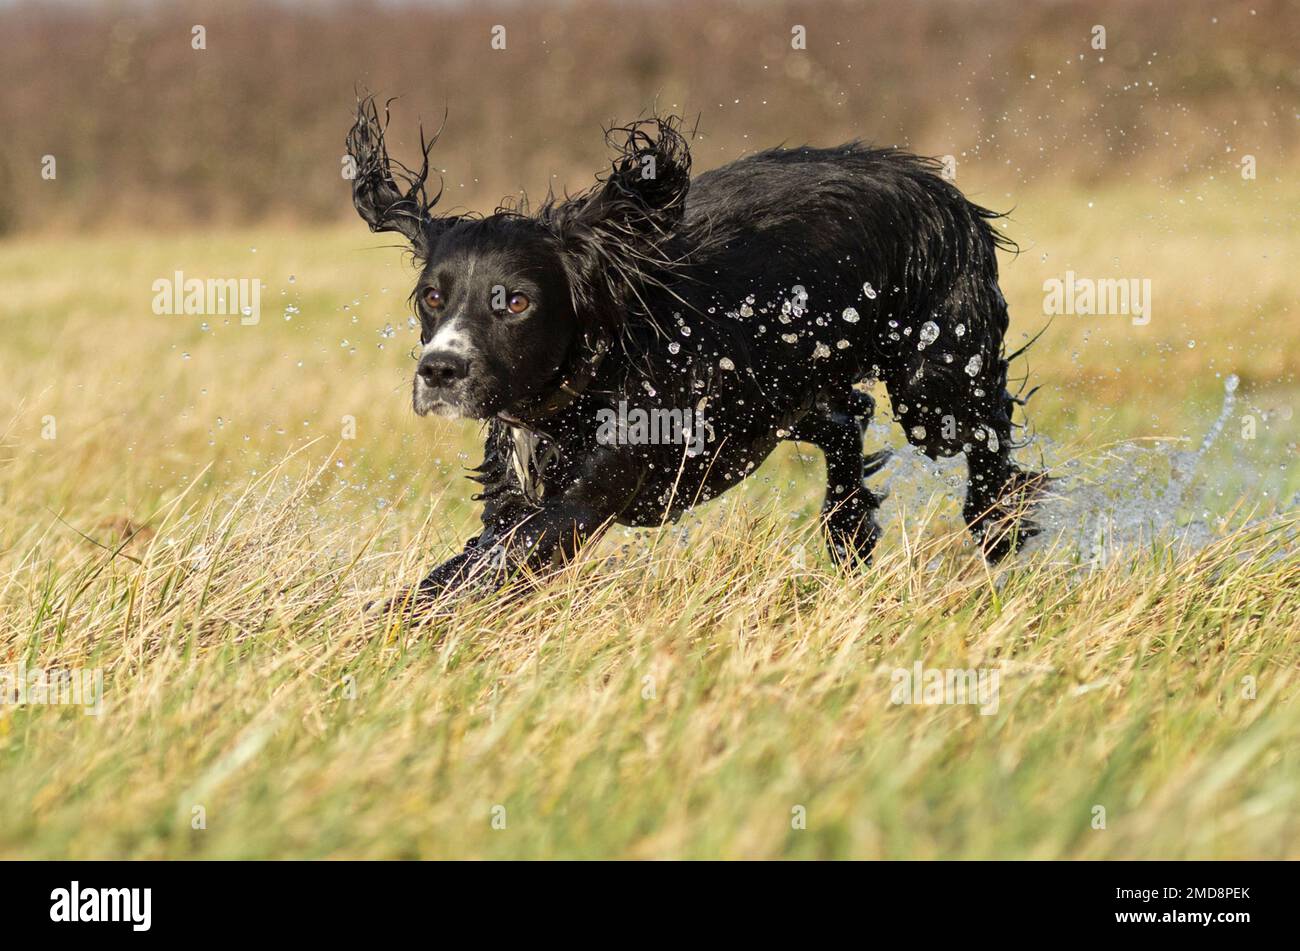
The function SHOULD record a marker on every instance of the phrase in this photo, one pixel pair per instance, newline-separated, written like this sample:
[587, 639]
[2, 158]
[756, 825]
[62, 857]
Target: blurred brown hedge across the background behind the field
[149, 132]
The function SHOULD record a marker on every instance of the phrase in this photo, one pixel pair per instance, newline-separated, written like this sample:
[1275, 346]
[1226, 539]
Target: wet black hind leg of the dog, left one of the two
[837, 427]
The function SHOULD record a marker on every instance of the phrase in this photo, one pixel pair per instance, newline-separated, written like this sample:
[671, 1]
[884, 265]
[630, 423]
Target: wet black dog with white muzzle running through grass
[731, 312]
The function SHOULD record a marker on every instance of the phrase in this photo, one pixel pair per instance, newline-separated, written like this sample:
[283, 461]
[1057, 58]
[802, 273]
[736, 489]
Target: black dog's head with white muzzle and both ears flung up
[512, 306]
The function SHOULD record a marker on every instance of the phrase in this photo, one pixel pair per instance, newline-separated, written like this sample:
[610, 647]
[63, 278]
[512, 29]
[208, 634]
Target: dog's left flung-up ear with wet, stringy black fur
[382, 203]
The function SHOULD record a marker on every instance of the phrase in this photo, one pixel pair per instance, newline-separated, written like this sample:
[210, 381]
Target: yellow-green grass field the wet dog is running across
[200, 529]
